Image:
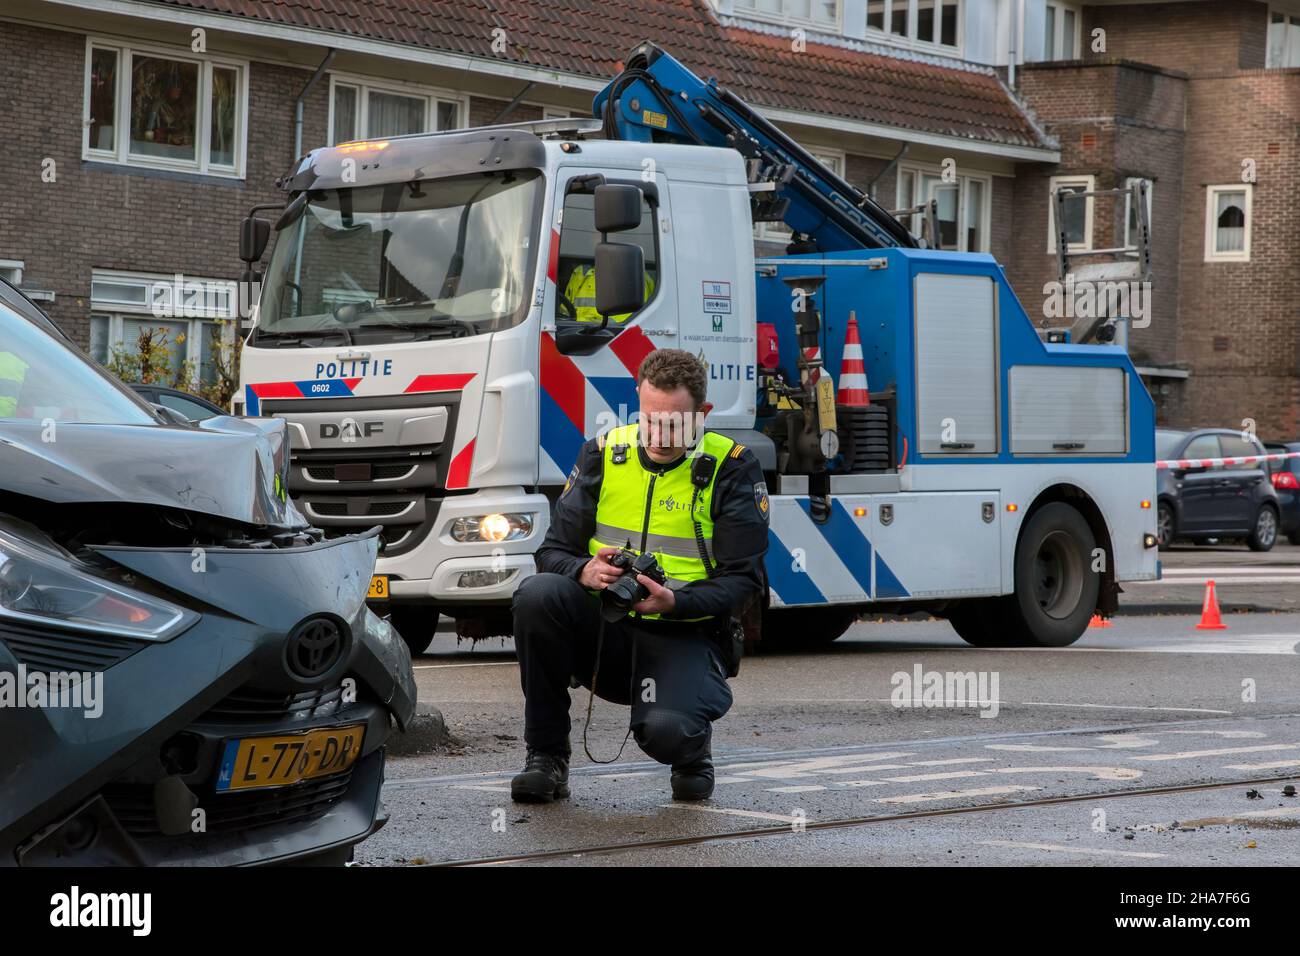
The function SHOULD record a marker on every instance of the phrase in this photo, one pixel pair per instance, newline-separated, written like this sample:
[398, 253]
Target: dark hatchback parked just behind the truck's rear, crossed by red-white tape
[1233, 501]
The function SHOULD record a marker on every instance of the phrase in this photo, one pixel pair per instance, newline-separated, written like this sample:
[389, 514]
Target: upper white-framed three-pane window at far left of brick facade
[151, 107]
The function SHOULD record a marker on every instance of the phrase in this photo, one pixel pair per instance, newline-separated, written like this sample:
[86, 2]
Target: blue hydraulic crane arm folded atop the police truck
[657, 100]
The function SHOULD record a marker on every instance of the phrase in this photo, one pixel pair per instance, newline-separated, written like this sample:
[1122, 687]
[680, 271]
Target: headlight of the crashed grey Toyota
[40, 587]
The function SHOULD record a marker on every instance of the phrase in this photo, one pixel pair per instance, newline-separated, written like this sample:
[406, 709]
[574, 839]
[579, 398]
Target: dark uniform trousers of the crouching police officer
[671, 673]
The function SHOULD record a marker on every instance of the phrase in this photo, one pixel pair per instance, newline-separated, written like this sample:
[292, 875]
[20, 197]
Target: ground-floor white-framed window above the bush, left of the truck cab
[180, 322]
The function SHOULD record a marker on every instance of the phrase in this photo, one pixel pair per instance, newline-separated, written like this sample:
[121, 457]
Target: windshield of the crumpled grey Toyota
[44, 380]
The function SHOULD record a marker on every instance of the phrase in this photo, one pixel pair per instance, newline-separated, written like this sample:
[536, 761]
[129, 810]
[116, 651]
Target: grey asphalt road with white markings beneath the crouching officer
[821, 737]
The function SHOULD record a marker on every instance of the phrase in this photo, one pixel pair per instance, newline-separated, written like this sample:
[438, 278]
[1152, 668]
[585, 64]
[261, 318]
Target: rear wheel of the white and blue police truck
[1056, 590]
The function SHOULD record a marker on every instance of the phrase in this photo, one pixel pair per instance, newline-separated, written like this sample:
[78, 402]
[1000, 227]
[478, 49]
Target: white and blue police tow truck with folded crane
[415, 332]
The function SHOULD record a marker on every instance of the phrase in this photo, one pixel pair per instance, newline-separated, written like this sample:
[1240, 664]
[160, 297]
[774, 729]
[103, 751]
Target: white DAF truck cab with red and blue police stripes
[414, 332]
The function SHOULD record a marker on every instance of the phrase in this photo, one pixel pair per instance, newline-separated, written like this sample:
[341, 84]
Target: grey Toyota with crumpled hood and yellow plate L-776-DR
[189, 671]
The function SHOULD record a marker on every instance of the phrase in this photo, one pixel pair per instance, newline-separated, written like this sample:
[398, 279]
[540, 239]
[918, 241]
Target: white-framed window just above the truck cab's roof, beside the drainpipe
[361, 110]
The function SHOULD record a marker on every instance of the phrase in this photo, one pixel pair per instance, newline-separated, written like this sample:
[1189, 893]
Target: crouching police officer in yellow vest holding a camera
[694, 500]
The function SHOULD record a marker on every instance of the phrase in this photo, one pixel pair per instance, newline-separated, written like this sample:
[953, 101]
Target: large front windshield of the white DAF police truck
[434, 258]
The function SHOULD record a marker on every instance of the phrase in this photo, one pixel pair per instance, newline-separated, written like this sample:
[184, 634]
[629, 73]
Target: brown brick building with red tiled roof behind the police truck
[1182, 94]
